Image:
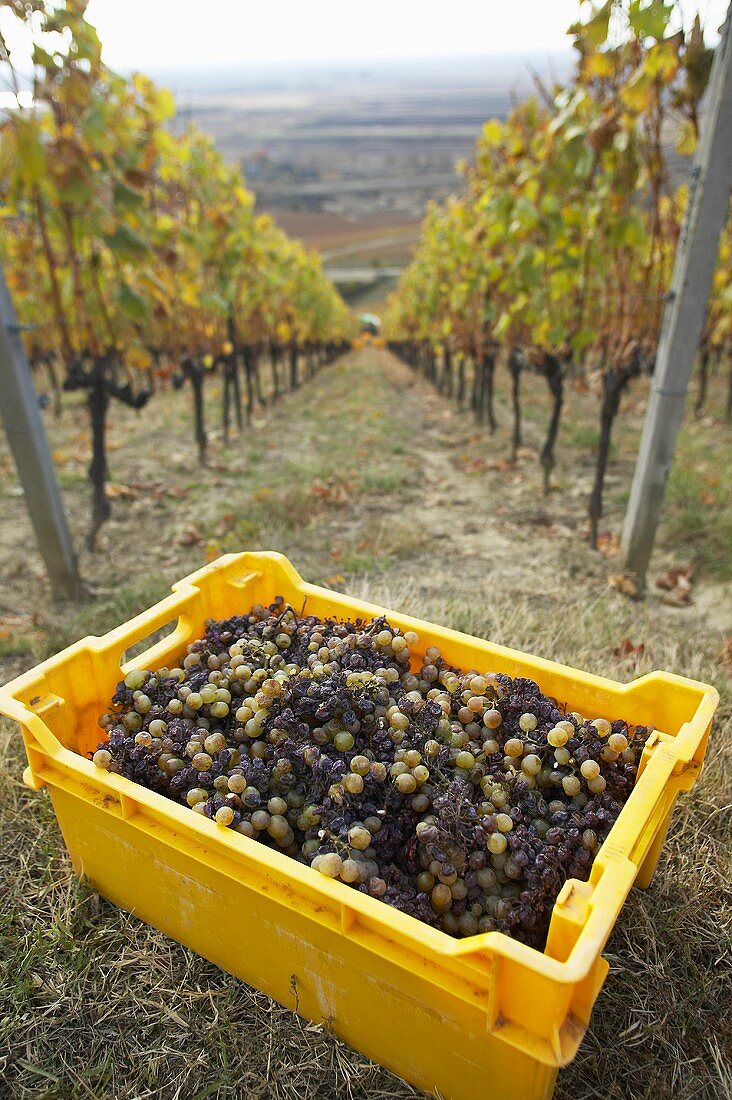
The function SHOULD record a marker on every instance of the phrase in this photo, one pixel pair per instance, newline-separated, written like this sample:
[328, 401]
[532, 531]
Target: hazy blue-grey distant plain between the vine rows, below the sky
[372, 142]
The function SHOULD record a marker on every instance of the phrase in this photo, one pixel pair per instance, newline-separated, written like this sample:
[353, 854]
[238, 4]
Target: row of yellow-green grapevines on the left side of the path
[136, 256]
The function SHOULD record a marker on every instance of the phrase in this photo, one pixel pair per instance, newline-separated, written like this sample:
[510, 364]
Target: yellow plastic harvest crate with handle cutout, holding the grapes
[444, 1014]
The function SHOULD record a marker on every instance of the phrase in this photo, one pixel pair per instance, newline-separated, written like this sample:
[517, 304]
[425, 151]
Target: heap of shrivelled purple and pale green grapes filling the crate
[463, 799]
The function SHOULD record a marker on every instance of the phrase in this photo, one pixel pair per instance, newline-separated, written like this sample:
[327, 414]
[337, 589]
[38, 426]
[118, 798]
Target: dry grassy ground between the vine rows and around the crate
[372, 485]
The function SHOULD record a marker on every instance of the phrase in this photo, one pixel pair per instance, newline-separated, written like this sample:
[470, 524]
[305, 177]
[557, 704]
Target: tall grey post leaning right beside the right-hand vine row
[684, 314]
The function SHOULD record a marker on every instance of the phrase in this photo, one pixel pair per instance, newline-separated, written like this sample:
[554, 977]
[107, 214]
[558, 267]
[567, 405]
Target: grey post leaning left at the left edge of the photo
[19, 408]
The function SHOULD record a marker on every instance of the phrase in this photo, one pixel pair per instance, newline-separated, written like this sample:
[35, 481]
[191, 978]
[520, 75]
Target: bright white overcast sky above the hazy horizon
[166, 35]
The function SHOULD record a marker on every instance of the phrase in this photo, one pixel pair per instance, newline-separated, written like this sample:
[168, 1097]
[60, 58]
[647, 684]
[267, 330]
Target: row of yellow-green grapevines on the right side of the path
[558, 257]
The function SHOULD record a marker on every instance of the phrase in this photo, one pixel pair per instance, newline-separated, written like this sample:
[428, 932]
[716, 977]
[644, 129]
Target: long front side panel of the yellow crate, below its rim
[411, 1027]
